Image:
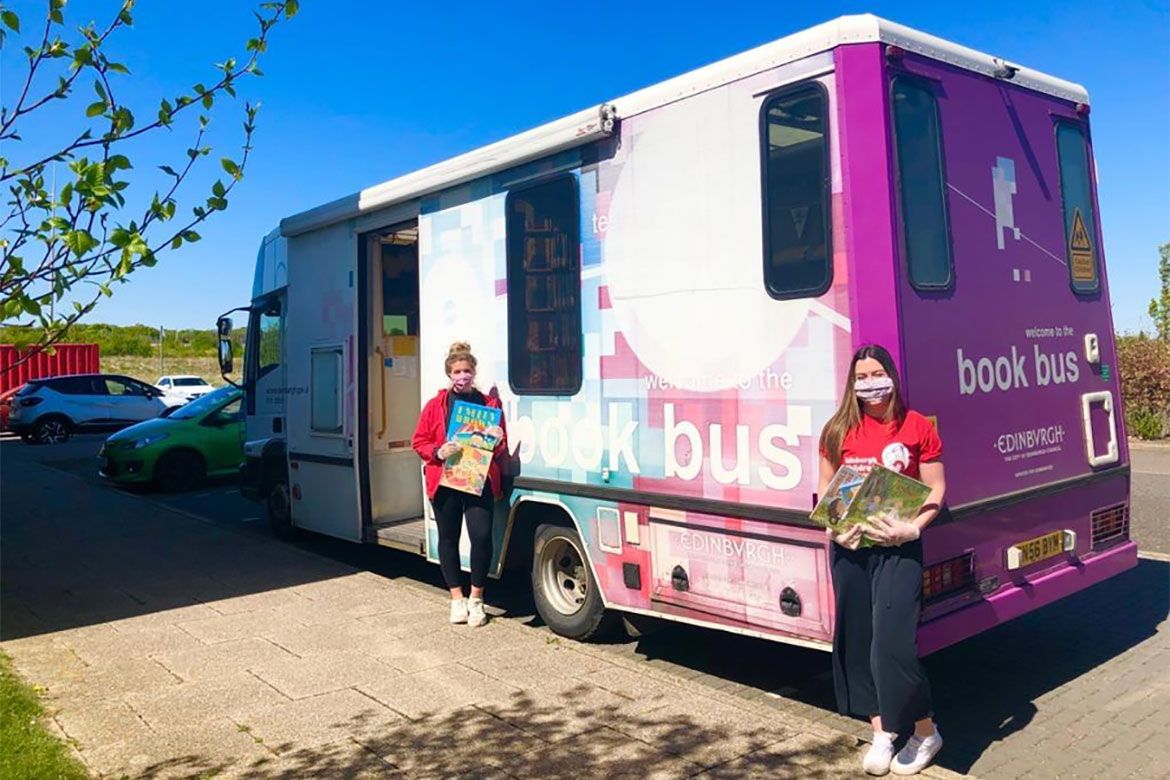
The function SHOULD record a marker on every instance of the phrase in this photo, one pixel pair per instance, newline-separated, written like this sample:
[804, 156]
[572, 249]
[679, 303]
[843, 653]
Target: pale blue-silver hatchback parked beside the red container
[50, 411]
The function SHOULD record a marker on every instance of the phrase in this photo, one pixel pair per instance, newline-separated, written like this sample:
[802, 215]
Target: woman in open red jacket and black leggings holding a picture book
[451, 507]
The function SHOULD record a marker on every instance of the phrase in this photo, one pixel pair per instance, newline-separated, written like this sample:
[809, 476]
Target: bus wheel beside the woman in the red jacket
[563, 586]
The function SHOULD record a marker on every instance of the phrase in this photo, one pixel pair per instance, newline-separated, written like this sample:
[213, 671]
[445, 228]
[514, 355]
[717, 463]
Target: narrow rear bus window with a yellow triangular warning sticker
[1077, 195]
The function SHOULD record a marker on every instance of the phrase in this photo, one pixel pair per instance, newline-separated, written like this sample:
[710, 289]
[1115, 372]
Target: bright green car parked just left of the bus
[202, 439]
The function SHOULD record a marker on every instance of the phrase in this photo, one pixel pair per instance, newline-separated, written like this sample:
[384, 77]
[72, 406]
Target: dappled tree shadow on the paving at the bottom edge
[559, 736]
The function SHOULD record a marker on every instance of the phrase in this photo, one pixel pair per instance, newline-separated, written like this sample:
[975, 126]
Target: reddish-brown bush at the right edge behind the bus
[1144, 368]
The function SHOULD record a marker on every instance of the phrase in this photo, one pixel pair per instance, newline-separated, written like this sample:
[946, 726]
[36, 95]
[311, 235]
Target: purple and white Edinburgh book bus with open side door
[666, 289]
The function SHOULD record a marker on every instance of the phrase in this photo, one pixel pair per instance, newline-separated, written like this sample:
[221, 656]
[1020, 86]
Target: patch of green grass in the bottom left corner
[27, 750]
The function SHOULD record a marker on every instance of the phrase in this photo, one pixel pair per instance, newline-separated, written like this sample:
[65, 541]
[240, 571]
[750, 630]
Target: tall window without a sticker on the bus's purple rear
[921, 185]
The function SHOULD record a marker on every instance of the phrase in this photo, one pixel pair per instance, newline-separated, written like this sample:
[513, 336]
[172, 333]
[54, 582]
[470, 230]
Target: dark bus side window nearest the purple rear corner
[796, 194]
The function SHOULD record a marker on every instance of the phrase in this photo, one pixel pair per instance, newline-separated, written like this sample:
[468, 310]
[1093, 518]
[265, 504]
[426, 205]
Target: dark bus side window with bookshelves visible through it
[545, 281]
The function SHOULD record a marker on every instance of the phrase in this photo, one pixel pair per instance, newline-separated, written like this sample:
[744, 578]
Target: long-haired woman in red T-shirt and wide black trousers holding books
[879, 590]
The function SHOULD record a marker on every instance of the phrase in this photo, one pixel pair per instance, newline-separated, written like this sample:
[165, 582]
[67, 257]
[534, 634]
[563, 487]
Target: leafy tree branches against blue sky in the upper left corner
[71, 232]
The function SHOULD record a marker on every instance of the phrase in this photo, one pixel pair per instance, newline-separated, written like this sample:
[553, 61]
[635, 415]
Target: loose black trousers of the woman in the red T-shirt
[876, 653]
